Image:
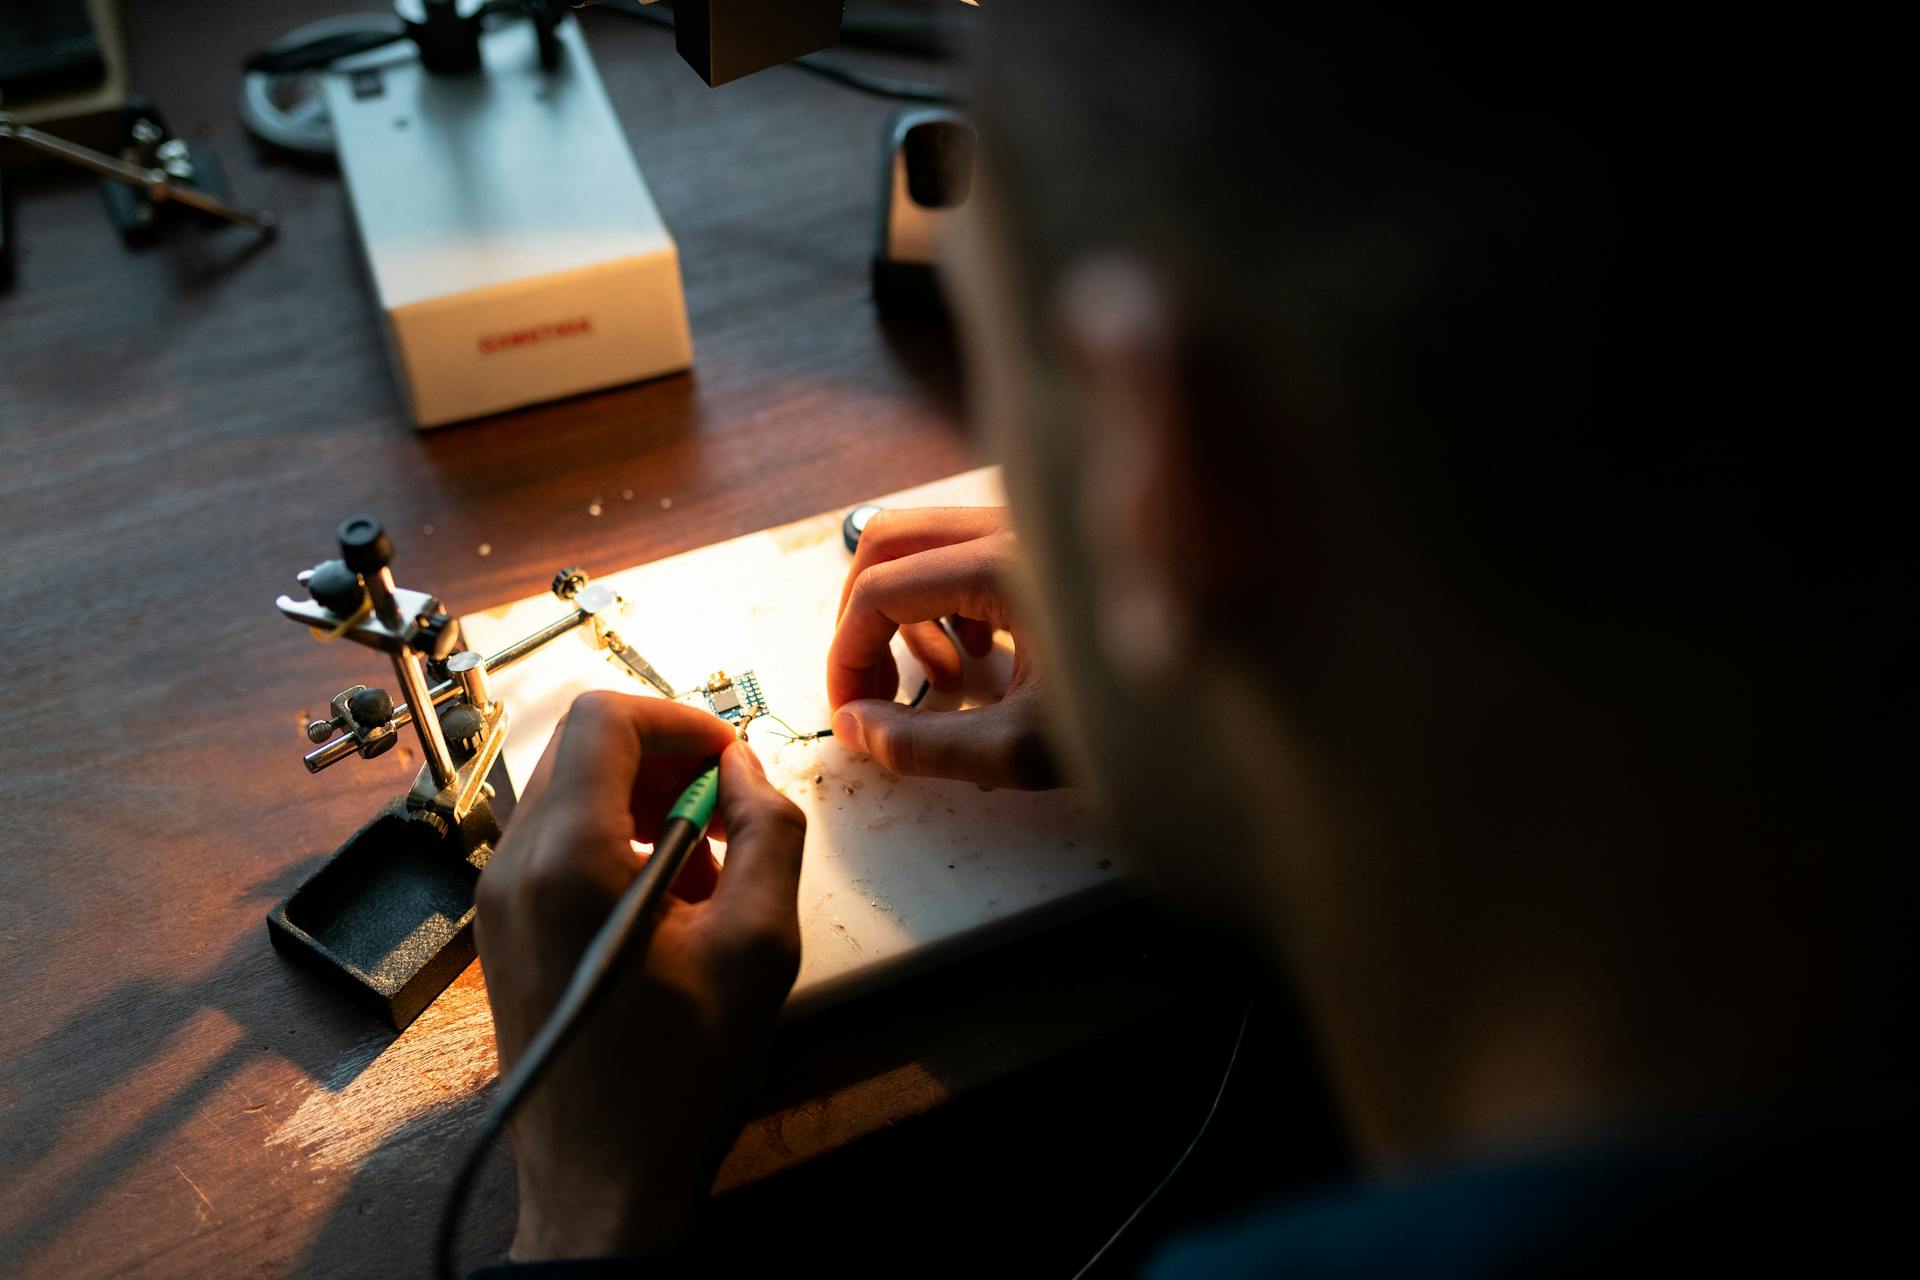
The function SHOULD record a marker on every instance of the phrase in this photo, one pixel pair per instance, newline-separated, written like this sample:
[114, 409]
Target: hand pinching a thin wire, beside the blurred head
[915, 569]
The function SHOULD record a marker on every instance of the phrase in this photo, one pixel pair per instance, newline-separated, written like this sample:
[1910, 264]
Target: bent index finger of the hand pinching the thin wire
[948, 581]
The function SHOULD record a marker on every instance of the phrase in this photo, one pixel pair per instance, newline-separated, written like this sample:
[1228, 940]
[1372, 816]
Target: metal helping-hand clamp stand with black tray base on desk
[391, 913]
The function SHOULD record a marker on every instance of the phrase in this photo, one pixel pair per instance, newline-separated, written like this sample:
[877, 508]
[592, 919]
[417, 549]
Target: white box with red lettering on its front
[512, 241]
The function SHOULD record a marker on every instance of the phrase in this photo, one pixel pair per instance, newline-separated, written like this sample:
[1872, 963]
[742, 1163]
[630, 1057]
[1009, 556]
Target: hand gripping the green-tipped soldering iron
[619, 1145]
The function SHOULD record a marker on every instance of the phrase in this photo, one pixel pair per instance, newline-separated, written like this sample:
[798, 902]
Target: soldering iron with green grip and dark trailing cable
[631, 924]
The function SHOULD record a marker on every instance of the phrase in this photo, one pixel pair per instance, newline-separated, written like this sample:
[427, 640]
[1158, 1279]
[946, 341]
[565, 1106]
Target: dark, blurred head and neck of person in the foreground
[1433, 440]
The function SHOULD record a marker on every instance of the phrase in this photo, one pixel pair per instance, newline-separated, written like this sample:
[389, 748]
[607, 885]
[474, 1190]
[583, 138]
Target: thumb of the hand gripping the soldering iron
[759, 888]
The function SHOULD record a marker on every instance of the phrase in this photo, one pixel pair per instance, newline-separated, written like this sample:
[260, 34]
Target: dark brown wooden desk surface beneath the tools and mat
[180, 433]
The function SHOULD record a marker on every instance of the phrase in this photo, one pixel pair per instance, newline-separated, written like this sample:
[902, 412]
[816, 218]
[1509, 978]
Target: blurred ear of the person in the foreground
[1120, 331]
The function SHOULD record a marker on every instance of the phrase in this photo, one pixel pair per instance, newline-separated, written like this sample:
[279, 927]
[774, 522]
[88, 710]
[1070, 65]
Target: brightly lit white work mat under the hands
[896, 866]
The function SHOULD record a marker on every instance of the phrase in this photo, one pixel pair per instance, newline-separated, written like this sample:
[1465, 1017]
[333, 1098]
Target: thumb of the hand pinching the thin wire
[997, 746]
